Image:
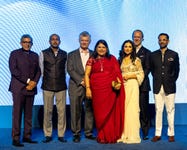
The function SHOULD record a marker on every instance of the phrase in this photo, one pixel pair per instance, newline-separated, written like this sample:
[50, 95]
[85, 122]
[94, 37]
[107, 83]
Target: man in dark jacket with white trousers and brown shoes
[165, 71]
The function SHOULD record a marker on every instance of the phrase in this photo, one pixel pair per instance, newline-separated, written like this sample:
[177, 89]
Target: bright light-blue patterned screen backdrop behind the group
[112, 20]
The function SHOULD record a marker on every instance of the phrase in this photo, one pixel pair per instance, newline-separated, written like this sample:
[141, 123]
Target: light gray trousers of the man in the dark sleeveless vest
[60, 98]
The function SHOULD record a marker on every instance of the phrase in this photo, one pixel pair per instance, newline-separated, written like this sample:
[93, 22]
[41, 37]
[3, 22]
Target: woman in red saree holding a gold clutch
[103, 86]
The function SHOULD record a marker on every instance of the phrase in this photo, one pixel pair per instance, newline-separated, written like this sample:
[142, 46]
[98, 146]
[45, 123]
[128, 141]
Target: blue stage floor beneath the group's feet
[85, 144]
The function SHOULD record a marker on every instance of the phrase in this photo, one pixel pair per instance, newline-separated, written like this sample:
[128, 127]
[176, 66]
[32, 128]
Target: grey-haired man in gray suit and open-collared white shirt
[75, 66]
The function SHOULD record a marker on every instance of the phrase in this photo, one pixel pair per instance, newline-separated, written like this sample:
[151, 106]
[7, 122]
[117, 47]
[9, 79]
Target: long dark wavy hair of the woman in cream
[122, 54]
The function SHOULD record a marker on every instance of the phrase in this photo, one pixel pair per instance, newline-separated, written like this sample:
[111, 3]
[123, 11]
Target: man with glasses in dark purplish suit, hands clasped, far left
[25, 73]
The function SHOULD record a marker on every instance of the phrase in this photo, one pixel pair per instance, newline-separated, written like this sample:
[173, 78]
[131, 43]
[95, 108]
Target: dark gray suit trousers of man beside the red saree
[76, 103]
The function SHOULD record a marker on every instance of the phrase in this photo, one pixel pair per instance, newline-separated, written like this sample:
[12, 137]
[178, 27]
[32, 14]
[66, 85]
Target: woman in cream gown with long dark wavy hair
[133, 76]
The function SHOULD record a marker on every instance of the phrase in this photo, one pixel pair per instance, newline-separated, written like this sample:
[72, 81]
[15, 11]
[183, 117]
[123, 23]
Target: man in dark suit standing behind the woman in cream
[144, 54]
